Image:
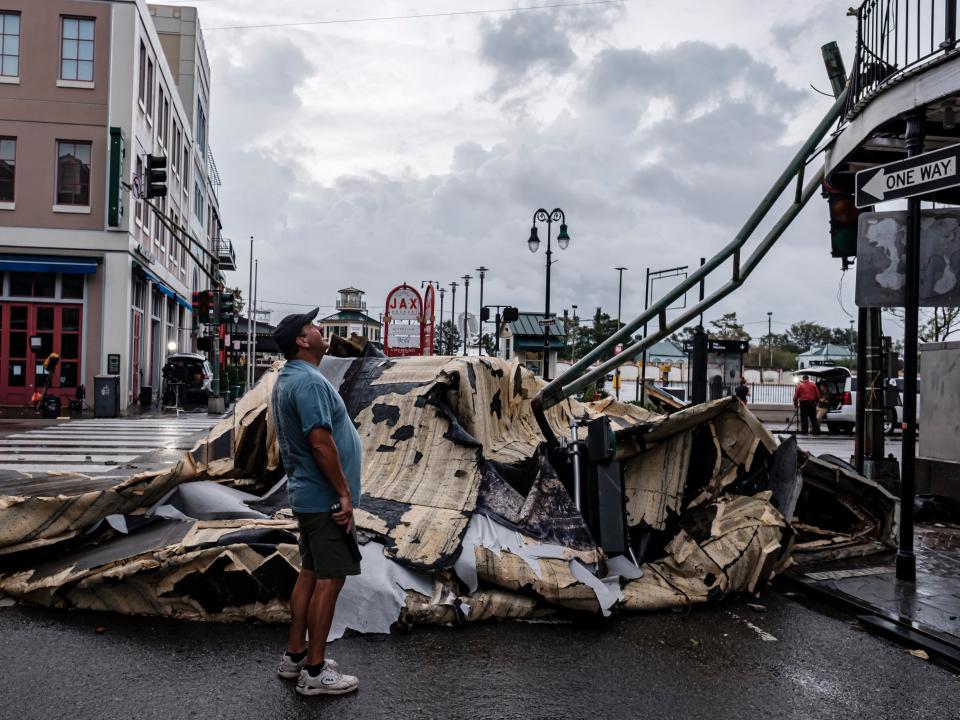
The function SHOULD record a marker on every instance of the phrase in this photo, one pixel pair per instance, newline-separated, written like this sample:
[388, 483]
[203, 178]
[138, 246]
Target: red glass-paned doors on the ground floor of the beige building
[58, 329]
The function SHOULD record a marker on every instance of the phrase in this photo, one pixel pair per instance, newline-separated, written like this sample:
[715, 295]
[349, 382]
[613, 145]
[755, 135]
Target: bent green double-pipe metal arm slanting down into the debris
[580, 374]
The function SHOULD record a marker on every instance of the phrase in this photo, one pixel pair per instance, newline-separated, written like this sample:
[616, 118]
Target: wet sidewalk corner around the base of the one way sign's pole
[924, 614]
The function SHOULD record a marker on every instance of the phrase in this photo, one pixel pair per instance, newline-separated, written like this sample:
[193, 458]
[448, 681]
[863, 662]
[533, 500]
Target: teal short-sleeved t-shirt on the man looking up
[304, 399]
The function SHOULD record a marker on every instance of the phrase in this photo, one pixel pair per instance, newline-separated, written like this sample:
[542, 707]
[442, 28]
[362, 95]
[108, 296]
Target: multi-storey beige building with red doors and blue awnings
[88, 90]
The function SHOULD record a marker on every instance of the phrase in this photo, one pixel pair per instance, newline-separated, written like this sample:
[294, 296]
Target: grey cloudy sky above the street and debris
[383, 151]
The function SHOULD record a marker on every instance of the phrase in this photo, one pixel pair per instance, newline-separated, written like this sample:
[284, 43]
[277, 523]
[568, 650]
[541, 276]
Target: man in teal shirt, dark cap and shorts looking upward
[321, 454]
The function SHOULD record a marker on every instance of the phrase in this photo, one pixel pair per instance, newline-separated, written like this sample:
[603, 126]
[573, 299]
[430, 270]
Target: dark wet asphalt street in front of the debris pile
[720, 661]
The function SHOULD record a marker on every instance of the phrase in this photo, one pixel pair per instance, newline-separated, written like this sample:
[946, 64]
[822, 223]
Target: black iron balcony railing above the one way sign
[896, 38]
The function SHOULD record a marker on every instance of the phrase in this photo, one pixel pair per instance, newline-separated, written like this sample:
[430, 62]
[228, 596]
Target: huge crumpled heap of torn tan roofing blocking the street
[465, 515]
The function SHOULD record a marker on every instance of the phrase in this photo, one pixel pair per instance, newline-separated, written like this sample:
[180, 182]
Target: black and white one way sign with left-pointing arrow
[918, 175]
